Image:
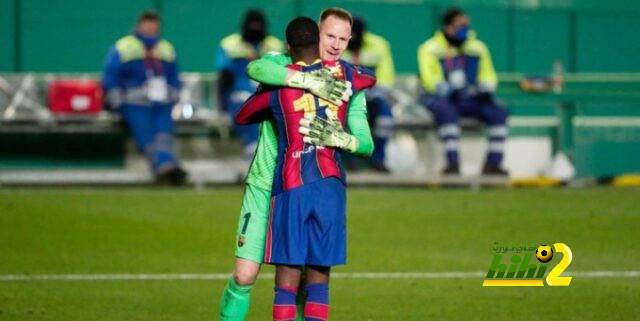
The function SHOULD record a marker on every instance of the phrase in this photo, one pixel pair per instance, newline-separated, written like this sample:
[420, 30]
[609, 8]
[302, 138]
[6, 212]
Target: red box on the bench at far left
[70, 96]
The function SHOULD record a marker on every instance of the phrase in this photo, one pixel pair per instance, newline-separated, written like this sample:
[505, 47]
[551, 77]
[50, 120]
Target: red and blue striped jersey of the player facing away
[299, 163]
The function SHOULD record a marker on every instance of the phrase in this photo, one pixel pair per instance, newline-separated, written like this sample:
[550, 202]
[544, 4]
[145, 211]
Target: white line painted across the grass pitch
[336, 275]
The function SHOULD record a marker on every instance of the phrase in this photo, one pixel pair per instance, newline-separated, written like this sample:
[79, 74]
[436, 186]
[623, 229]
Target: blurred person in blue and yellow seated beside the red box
[141, 81]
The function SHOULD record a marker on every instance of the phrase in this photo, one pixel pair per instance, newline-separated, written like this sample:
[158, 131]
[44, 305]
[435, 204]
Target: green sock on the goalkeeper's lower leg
[235, 301]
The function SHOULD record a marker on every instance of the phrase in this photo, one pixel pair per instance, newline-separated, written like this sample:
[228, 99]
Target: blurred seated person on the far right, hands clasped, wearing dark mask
[458, 80]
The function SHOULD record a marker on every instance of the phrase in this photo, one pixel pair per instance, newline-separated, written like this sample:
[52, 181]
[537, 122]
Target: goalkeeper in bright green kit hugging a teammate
[335, 32]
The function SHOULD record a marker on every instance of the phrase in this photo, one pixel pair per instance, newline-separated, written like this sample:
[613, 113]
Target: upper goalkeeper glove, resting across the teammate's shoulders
[322, 84]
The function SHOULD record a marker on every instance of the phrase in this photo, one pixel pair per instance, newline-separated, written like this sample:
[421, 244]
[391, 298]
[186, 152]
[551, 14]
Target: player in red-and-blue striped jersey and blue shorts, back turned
[307, 224]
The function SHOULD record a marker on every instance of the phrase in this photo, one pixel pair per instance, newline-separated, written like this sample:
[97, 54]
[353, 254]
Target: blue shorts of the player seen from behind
[307, 225]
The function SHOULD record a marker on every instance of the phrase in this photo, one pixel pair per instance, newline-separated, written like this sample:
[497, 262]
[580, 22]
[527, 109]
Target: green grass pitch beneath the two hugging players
[137, 230]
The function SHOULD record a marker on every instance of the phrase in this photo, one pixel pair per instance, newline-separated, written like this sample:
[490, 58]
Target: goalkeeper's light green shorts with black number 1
[252, 224]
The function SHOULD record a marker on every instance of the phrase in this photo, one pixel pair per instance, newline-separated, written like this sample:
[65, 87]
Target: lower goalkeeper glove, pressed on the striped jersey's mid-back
[327, 132]
